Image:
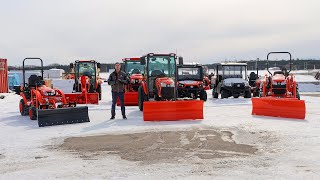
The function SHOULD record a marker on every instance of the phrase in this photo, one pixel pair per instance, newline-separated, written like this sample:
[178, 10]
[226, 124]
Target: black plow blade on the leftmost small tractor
[51, 117]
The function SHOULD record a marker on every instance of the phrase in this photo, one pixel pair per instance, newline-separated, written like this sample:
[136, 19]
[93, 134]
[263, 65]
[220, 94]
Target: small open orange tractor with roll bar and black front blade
[48, 106]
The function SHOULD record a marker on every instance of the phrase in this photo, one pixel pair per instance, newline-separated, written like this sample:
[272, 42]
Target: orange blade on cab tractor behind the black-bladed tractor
[79, 98]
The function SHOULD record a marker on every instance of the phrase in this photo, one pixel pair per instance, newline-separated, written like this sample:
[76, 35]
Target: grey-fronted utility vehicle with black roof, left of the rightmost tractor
[230, 79]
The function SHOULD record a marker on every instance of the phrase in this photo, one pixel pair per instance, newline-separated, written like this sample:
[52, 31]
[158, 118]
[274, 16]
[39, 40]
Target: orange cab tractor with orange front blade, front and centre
[157, 92]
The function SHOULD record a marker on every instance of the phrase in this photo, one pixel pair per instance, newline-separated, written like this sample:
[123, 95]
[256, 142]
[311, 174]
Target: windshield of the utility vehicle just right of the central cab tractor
[189, 73]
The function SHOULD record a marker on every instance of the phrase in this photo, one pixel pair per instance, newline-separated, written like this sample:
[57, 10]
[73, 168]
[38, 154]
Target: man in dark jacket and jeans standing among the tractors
[117, 80]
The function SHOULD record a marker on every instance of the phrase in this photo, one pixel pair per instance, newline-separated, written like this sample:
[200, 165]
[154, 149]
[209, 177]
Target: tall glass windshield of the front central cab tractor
[161, 65]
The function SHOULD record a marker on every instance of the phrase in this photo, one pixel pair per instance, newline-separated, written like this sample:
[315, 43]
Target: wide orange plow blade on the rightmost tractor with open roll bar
[279, 107]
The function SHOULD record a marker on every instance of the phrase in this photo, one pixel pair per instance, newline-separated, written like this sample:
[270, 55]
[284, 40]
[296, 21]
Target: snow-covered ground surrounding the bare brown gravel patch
[292, 153]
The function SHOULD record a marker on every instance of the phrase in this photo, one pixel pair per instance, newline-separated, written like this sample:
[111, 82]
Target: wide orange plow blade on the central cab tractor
[172, 110]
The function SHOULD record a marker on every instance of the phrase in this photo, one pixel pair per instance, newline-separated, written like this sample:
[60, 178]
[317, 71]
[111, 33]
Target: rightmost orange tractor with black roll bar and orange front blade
[279, 95]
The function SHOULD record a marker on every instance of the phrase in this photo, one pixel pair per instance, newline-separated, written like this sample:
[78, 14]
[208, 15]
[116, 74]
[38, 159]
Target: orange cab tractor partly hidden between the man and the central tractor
[135, 72]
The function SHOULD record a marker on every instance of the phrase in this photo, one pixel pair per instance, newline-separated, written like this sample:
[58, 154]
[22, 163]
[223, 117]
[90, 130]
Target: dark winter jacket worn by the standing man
[117, 81]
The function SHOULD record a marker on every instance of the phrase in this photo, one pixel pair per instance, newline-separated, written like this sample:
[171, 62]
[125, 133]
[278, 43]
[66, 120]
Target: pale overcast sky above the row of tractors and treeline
[204, 31]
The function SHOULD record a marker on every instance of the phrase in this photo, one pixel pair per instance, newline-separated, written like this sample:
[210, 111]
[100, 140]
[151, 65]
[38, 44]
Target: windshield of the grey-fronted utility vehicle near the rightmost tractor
[234, 72]
